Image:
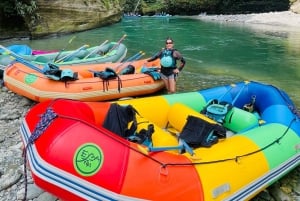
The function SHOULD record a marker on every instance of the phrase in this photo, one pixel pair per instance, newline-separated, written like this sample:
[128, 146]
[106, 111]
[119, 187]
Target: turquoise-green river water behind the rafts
[216, 53]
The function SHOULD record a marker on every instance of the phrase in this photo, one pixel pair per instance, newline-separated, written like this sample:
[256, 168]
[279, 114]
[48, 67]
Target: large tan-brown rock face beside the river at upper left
[65, 16]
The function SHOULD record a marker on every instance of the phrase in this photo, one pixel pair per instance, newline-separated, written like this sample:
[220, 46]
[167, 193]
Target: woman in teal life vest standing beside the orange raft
[168, 61]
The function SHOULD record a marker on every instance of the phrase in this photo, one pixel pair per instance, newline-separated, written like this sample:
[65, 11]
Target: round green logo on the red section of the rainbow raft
[88, 159]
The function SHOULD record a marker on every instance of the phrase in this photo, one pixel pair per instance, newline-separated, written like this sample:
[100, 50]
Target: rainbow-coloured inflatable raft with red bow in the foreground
[253, 140]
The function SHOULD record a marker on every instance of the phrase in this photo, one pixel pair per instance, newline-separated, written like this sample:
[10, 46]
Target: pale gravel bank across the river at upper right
[286, 20]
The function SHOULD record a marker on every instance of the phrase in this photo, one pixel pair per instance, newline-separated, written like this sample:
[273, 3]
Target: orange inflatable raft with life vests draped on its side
[85, 82]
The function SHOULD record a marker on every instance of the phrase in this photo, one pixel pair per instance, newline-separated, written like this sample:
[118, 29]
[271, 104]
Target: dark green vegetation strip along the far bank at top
[193, 7]
